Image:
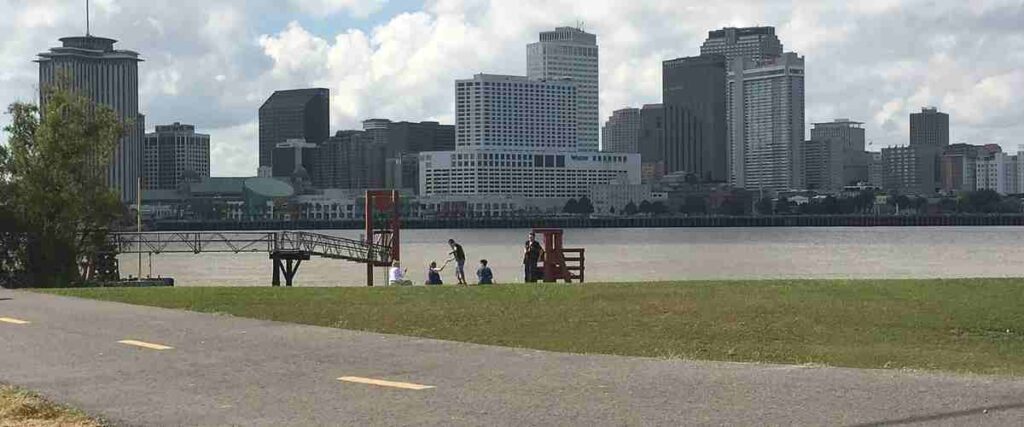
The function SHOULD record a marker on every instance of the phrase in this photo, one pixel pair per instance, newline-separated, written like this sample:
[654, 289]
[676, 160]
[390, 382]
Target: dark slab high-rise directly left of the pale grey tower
[694, 98]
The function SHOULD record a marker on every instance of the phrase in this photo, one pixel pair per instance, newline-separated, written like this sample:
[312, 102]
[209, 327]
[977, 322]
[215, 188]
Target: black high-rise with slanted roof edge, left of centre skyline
[300, 114]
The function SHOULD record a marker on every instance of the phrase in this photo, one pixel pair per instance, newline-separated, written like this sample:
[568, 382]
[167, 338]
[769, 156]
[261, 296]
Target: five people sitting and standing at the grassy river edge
[532, 254]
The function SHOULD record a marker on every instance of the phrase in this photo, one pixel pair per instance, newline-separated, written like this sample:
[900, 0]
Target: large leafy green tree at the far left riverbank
[55, 180]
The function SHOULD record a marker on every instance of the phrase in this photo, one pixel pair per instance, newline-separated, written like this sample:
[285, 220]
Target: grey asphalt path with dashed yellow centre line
[229, 371]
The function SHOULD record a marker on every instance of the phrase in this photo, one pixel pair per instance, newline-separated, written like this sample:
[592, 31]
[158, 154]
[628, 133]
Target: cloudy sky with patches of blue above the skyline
[212, 63]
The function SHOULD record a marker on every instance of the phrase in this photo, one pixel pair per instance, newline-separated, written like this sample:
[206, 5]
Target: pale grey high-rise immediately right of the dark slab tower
[766, 130]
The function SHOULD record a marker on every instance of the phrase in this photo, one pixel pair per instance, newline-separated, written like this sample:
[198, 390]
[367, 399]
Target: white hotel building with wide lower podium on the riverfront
[518, 137]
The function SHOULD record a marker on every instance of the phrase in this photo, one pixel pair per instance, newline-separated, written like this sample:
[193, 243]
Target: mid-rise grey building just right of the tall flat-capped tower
[175, 153]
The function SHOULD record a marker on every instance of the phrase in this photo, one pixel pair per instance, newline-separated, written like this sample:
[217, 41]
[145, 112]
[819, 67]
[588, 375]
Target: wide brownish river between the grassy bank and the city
[655, 254]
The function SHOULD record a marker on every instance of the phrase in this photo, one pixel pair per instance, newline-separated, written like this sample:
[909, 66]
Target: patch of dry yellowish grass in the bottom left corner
[20, 408]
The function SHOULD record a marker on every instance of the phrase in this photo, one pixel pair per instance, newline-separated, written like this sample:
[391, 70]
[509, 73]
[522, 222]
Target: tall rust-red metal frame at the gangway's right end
[386, 201]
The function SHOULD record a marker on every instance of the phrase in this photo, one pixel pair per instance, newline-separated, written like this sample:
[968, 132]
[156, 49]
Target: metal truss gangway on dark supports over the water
[287, 250]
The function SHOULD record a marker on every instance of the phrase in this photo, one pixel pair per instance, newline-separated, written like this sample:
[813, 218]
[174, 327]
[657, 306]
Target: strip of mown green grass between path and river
[969, 326]
